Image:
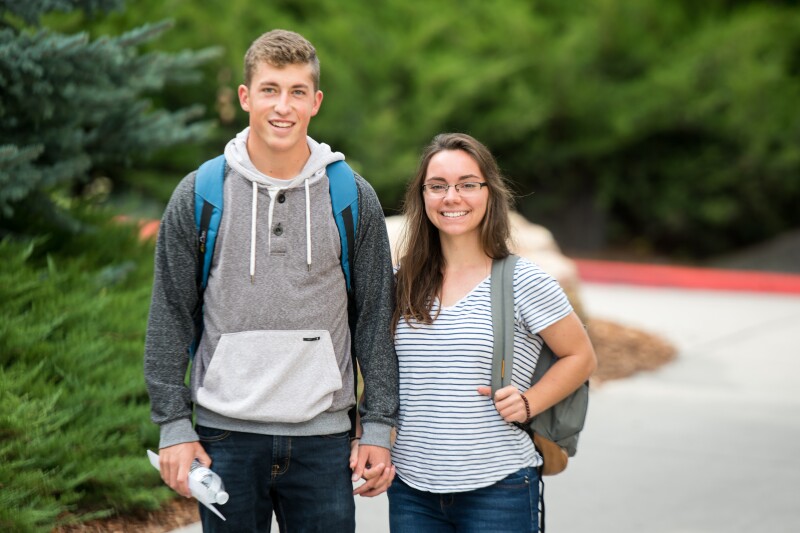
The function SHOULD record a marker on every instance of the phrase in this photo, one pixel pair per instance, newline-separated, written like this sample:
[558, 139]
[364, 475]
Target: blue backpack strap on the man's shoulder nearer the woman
[344, 199]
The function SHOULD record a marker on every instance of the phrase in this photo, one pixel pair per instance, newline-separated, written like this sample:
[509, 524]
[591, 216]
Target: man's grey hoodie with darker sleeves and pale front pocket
[275, 354]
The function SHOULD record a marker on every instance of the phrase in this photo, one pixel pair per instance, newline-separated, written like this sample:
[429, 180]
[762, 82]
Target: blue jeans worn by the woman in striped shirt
[509, 506]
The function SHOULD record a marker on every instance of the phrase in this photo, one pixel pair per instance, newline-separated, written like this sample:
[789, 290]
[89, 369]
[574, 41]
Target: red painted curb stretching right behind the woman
[686, 277]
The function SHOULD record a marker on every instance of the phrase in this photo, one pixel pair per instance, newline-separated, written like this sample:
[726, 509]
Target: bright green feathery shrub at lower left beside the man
[74, 420]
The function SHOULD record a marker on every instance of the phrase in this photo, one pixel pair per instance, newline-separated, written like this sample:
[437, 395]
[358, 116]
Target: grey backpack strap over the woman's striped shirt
[502, 298]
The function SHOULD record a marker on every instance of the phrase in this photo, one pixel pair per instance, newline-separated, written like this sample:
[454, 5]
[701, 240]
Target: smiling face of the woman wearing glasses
[455, 213]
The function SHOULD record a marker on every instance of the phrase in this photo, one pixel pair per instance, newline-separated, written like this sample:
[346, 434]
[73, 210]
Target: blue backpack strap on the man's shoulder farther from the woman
[208, 212]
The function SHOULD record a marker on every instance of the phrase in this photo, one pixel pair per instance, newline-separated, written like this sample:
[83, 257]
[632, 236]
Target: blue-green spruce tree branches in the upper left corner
[71, 107]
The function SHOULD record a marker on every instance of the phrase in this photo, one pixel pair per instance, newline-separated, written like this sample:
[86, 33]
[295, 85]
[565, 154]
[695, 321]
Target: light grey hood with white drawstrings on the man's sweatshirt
[238, 158]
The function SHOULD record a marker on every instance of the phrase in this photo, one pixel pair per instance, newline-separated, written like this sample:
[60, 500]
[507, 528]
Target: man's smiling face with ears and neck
[281, 102]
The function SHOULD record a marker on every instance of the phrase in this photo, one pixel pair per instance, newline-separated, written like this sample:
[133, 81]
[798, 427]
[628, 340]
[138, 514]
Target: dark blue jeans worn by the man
[304, 480]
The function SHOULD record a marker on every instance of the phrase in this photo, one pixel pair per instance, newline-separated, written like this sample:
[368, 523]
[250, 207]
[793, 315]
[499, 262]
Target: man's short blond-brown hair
[279, 48]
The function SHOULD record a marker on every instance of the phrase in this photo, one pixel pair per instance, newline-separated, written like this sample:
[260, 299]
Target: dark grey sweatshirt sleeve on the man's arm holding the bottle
[170, 325]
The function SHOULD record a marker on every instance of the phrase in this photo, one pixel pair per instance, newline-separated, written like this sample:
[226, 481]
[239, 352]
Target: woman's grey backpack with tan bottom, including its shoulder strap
[555, 431]
